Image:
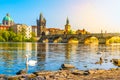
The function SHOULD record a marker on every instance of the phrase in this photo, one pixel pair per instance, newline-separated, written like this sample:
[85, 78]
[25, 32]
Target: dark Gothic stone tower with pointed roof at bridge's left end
[41, 25]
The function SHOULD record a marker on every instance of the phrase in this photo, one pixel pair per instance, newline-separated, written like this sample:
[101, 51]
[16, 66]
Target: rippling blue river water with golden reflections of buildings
[51, 56]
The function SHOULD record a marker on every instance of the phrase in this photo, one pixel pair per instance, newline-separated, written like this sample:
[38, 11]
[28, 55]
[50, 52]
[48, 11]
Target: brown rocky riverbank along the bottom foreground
[112, 74]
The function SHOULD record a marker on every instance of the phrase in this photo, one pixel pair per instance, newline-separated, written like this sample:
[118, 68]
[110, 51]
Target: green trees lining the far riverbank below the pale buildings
[9, 35]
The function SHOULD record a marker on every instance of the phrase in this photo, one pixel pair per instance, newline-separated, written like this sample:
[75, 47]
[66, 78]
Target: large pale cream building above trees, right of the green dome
[22, 29]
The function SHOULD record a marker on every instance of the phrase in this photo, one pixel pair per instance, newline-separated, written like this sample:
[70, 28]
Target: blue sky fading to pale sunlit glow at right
[92, 15]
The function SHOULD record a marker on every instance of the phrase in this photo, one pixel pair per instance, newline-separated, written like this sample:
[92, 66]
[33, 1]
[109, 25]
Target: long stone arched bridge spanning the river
[102, 37]
